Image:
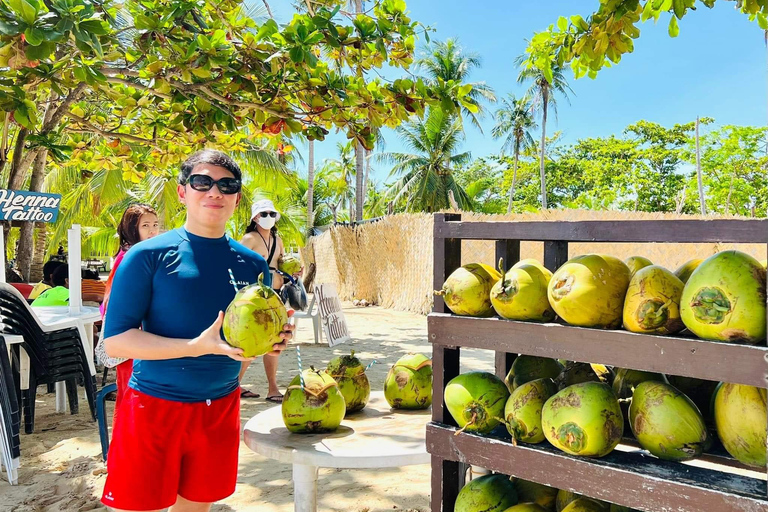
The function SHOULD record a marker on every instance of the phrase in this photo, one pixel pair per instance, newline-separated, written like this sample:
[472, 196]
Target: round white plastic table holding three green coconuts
[376, 437]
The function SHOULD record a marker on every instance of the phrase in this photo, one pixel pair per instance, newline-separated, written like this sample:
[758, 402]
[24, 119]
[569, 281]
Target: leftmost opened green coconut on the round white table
[317, 407]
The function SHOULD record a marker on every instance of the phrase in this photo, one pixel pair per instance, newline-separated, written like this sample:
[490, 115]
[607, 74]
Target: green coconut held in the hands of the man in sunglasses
[254, 319]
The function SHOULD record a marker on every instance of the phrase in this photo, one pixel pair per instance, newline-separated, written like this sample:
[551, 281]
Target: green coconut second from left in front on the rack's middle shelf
[522, 413]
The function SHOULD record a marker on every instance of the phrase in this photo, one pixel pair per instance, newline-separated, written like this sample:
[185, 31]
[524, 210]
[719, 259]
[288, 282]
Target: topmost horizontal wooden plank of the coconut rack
[661, 231]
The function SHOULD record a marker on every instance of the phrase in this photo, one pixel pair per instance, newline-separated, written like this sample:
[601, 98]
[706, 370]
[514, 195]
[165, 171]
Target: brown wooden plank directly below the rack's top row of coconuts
[689, 357]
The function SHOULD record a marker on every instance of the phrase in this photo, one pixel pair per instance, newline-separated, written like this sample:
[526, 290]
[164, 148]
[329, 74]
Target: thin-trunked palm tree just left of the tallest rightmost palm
[514, 122]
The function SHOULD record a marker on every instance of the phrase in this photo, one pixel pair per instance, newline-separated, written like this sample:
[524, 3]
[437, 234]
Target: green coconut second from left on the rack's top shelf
[521, 294]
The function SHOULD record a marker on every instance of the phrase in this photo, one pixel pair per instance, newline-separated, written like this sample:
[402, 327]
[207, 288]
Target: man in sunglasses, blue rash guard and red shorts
[176, 439]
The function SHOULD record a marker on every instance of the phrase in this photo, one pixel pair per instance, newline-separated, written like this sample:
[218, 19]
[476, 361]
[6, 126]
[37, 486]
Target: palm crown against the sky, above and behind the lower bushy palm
[448, 61]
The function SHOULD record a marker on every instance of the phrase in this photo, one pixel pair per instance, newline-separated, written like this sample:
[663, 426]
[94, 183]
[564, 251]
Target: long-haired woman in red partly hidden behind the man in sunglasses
[139, 223]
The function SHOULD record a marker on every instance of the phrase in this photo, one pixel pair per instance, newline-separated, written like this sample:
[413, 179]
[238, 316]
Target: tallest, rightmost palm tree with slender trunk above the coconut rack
[542, 93]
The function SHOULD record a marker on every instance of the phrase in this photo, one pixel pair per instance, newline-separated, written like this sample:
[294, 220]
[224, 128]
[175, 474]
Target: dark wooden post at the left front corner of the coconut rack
[447, 476]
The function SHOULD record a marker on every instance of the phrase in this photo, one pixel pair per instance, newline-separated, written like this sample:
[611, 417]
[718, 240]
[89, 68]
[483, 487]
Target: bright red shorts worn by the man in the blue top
[161, 449]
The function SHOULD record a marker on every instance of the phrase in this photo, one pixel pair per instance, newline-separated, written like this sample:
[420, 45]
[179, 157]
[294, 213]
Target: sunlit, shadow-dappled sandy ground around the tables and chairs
[61, 466]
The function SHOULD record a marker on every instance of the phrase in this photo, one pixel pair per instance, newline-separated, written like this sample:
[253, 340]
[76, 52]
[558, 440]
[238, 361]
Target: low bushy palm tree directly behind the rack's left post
[425, 176]
